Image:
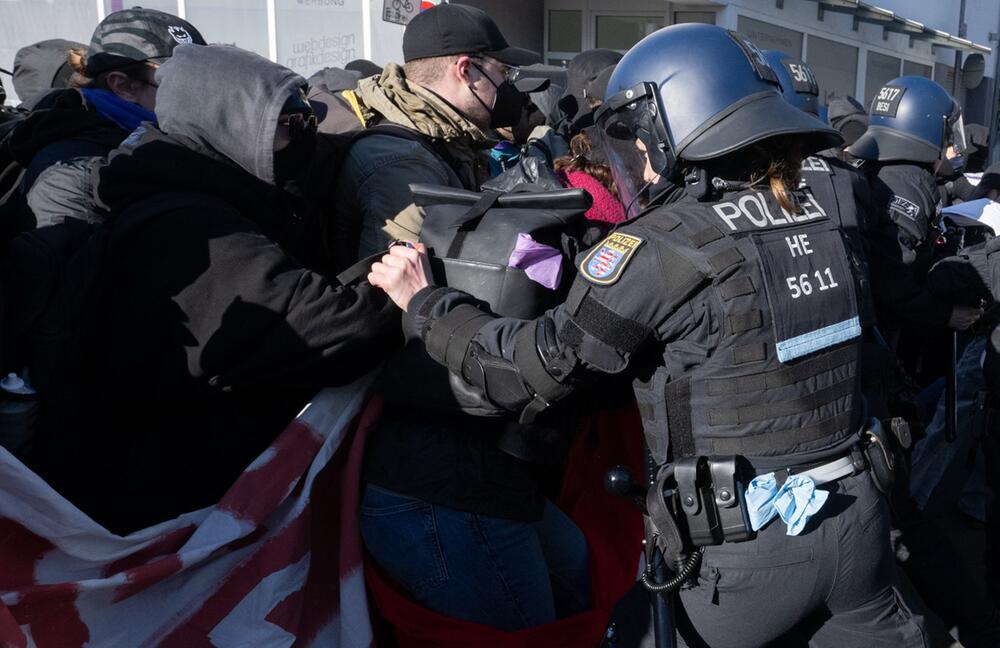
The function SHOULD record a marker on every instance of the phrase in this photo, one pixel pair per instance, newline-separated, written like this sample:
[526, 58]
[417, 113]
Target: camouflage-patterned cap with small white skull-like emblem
[132, 35]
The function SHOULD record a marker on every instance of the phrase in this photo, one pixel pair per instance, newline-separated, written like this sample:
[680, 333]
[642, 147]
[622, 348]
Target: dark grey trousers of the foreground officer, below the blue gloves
[833, 585]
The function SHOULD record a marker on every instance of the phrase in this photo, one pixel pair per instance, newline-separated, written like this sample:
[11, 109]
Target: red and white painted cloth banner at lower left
[277, 562]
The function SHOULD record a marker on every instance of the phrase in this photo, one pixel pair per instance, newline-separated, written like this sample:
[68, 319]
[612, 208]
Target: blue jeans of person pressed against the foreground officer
[502, 573]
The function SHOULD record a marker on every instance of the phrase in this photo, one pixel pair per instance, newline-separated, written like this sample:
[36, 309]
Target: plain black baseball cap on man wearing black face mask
[450, 29]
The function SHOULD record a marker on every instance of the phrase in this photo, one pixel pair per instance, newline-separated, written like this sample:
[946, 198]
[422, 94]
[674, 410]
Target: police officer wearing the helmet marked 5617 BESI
[912, 123]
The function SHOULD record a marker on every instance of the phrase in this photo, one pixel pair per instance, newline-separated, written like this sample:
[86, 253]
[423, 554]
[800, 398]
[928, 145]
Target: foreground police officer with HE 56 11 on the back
[736, 310]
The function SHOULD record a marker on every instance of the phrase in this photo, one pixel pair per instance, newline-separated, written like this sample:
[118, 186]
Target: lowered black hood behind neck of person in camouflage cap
[63, 114]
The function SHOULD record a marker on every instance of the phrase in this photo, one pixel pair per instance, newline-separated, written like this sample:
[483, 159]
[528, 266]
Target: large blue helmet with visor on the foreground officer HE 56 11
[690, 93]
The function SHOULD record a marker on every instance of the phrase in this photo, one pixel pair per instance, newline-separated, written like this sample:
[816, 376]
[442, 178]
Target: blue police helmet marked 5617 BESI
[911, 119]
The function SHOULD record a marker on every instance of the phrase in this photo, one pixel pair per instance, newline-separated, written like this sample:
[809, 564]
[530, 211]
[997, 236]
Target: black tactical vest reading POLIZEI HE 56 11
[769, 370]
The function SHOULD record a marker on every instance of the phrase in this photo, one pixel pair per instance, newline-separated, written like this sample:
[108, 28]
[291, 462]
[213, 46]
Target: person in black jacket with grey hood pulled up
[198, 335]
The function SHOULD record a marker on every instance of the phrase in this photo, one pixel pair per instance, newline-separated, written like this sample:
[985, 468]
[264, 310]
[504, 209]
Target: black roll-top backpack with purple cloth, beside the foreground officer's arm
[470, 237]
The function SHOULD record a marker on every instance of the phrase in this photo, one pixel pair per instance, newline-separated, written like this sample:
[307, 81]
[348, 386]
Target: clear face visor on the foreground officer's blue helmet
[635, 144]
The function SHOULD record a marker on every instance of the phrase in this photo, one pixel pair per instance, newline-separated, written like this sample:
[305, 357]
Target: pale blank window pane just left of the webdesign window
[235, 22]
